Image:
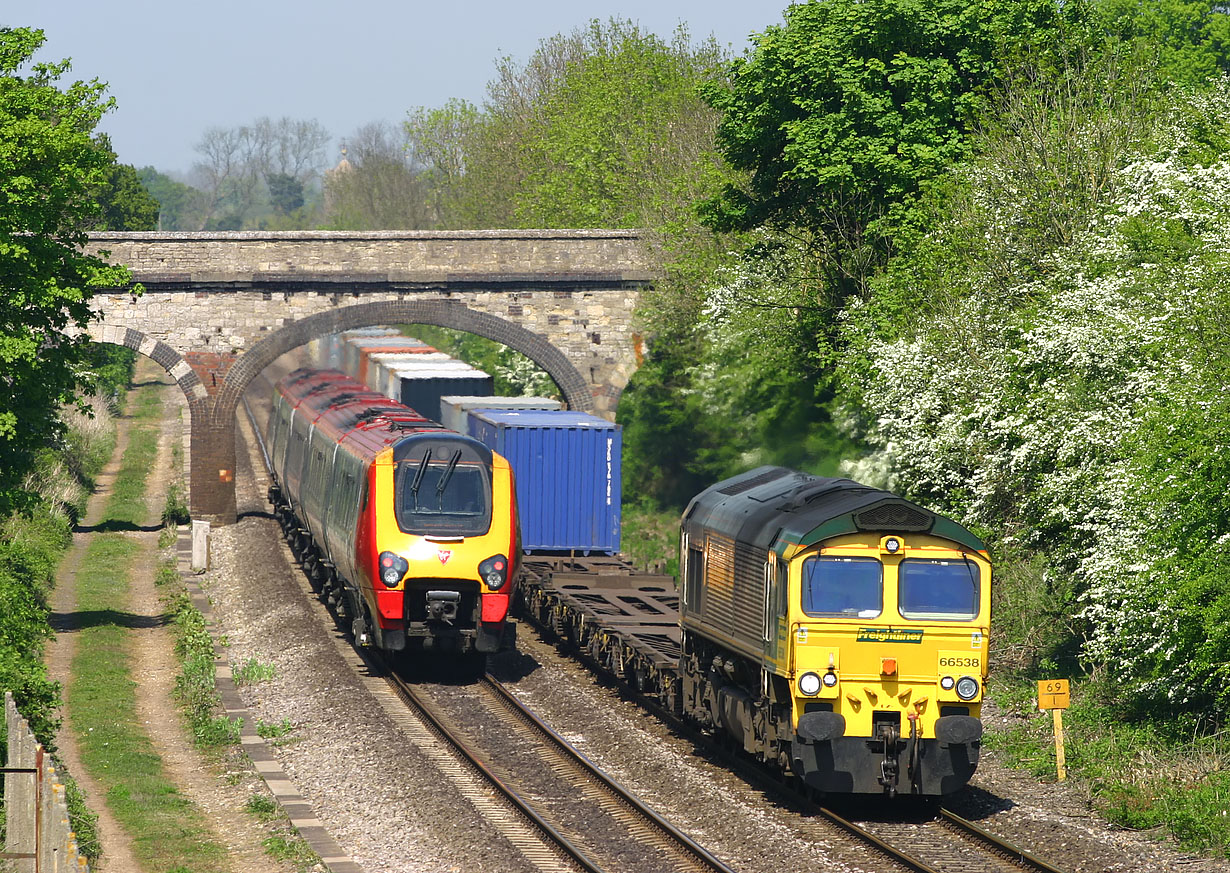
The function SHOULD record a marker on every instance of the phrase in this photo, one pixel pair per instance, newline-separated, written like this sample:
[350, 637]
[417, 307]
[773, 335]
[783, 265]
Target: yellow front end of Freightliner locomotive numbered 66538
[887, 656]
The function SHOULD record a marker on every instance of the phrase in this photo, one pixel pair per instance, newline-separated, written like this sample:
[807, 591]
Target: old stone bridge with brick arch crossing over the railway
[220, 308]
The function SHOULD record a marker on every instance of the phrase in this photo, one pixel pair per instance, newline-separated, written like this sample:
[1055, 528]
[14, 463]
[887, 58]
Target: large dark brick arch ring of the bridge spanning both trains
[437, 313]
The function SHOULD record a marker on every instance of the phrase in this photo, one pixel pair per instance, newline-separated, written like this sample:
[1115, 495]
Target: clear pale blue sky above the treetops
[178, 69]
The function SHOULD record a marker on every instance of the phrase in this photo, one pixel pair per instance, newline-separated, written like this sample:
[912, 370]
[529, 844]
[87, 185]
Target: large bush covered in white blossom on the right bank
[1018, 408]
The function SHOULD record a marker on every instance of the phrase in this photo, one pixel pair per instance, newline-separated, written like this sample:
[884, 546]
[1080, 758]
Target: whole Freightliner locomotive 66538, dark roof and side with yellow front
[837, 630]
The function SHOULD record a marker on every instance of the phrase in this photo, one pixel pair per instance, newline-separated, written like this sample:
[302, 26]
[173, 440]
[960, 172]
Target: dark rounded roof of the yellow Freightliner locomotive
[776, 507]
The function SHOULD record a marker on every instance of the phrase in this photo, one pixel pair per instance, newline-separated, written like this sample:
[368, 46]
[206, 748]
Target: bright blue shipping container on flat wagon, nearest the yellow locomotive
[568, 468]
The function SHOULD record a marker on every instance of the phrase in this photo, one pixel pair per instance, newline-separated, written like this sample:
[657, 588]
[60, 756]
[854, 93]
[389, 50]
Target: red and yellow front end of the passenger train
[441, 549]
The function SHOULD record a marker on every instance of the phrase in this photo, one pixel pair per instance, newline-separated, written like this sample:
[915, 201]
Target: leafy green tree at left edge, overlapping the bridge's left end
[51, 172]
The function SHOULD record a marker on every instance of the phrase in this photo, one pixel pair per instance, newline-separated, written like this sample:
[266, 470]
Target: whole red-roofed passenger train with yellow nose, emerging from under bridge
[409, 531]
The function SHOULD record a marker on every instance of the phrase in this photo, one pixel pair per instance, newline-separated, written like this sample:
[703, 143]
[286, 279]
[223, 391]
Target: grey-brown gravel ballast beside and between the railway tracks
[392, 810]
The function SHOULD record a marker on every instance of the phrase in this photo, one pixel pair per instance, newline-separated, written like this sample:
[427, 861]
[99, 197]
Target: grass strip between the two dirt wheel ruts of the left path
[169, 832]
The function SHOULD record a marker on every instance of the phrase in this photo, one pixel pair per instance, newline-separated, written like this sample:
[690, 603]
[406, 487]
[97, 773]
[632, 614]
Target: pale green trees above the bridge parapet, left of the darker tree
[600, 128]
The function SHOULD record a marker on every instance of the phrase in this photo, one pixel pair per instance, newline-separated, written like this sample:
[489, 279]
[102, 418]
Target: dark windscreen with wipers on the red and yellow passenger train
[443, 490]
